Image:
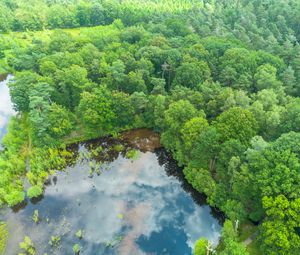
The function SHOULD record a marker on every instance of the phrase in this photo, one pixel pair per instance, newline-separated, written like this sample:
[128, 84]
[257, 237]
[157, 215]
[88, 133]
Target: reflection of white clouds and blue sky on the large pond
[132, 199]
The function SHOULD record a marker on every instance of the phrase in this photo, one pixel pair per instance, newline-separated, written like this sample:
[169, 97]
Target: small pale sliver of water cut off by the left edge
[6, 110]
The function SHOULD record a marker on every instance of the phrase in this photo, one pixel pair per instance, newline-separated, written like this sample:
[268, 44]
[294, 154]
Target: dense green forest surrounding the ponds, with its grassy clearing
[218, 79]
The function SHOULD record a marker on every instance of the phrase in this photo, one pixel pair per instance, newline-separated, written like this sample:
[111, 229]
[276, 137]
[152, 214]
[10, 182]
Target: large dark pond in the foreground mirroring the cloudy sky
[133, 207]
